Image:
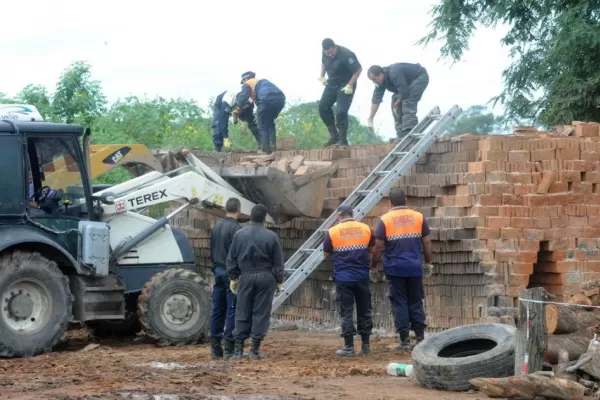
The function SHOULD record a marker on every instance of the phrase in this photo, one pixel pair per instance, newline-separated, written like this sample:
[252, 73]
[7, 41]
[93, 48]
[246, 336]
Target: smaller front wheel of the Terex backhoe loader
[174, 308]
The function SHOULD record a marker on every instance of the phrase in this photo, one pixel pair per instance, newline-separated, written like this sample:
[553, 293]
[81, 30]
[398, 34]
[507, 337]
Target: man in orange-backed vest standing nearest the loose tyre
[402, 235]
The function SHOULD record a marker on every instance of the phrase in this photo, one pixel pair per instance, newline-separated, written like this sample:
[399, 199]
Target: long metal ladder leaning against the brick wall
[362, 200]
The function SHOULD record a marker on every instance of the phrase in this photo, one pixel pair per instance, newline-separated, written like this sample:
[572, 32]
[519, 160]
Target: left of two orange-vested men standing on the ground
[348, 244]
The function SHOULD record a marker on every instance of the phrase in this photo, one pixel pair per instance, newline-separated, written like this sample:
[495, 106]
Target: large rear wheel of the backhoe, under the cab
[36, 304]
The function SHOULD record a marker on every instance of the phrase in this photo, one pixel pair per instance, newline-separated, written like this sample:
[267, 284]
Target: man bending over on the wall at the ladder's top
[407, 82]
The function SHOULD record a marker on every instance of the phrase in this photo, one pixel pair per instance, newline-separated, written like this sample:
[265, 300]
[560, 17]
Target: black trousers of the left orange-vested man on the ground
[349, 293]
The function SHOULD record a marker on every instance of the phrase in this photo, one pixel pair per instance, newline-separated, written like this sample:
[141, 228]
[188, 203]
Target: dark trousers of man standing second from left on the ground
[254, 303]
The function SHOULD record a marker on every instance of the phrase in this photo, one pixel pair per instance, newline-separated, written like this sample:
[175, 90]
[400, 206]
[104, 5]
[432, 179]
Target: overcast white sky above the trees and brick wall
[196, 49]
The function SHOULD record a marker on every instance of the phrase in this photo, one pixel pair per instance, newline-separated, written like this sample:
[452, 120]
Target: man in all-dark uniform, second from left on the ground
[256, 260]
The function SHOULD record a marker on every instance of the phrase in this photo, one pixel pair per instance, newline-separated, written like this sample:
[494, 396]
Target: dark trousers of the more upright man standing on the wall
[334, 95]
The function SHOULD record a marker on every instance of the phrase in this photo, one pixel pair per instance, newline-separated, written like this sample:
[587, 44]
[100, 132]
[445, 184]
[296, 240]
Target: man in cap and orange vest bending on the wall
[269, 100]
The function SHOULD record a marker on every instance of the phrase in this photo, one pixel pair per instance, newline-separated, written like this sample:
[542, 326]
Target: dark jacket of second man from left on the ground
[255, 249]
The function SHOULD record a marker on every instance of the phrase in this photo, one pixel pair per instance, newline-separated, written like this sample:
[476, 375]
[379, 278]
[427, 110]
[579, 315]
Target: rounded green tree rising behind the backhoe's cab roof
[78, 98]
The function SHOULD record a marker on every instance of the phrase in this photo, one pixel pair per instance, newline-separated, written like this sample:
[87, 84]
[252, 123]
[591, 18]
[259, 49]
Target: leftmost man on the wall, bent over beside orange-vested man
[226, 105]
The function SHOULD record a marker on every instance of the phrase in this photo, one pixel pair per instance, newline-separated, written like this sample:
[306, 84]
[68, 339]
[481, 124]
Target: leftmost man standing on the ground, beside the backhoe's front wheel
[222, 319]
